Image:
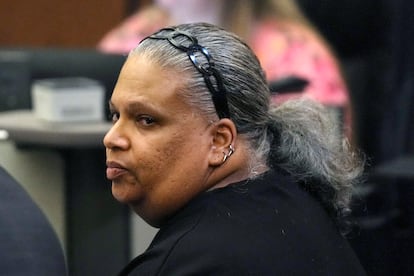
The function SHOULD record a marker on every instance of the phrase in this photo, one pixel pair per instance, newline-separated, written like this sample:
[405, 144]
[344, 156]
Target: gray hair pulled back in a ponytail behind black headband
[298, 136]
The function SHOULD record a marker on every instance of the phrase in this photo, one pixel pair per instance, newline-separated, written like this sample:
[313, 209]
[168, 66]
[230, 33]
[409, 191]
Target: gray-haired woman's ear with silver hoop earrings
[224, 137]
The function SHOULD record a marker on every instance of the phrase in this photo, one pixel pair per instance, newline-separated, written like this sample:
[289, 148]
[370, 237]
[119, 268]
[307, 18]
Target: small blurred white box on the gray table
[70, 99]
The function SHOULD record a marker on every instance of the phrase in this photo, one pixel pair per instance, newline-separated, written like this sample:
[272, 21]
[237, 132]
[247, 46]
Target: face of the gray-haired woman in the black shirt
[158, 147]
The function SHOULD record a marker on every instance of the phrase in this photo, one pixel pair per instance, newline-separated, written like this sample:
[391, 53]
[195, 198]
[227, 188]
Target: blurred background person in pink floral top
[285, 42]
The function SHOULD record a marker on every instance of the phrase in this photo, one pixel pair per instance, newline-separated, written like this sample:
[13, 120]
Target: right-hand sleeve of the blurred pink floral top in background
[290, 50]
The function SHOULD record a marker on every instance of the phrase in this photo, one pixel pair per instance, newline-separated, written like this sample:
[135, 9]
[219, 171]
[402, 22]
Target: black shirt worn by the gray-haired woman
[265, 226]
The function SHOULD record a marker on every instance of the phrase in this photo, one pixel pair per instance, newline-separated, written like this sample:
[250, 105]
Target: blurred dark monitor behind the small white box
[19, 67]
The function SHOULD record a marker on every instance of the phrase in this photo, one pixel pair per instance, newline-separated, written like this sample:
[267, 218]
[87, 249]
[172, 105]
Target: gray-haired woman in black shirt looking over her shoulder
[235, 186]
